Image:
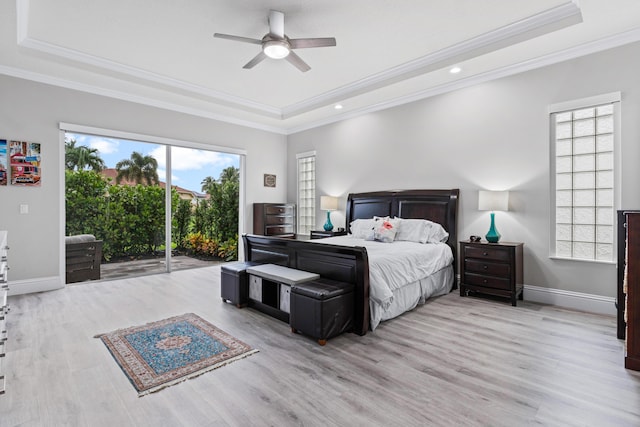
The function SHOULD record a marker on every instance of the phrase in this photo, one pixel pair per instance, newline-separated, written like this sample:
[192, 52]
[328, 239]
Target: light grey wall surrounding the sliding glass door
[32, 112]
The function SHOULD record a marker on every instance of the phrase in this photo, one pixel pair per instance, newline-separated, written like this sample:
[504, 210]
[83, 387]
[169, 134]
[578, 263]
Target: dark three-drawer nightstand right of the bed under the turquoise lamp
[492, 268]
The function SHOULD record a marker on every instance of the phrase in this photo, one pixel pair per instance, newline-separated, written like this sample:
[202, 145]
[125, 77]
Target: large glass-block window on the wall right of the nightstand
[584, 158]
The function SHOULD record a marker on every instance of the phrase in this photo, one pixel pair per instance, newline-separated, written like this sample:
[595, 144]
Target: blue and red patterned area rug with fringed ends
[164, 353]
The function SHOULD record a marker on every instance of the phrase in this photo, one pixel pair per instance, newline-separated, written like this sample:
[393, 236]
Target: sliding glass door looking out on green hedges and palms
[156, 207]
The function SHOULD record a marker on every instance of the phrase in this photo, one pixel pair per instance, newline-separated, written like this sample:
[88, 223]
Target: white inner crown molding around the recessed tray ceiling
[546, 21]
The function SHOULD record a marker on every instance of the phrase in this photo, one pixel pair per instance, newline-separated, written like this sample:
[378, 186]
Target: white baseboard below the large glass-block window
[574, 300]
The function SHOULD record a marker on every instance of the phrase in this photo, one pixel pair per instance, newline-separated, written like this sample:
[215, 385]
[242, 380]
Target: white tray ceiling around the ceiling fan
[163, 53]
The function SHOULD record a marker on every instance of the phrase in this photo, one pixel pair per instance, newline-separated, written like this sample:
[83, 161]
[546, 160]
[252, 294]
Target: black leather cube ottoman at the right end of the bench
[322, 308]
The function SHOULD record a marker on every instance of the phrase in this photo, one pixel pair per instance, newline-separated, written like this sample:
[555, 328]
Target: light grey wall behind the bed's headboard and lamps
[490, 136]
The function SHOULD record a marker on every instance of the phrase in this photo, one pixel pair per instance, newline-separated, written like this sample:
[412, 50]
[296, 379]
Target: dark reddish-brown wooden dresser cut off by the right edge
[629, 280]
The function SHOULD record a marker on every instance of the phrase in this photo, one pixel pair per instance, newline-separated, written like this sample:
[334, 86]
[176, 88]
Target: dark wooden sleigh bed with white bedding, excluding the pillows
[353, 260]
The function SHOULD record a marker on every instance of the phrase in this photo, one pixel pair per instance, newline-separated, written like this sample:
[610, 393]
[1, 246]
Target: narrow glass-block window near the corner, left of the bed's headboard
[306, 192]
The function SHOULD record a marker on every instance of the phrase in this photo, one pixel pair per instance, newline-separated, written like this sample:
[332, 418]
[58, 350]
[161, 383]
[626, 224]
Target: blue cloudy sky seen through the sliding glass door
[189, 166]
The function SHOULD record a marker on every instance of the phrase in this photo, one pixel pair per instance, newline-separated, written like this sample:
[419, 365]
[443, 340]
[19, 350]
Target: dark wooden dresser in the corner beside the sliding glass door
[274, 219]
